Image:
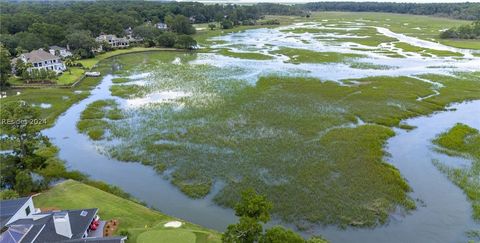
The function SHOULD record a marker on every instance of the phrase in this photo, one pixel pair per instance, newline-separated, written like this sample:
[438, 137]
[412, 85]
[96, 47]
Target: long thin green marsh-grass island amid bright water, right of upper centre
[307, 56]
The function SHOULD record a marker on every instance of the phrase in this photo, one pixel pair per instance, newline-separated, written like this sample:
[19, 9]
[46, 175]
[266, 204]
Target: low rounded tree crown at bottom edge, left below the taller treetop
[248, 230]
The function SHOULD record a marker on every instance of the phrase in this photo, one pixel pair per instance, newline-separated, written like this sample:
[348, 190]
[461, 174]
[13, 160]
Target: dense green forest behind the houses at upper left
[25, 26]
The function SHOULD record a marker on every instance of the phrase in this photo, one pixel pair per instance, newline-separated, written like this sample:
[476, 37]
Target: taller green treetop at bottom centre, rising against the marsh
[254, 206]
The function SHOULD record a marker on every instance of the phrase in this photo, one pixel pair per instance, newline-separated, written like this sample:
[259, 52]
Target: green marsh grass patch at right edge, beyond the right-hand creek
[462, 140]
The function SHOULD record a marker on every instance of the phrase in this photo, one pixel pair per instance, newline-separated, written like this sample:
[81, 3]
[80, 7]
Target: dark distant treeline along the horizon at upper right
[468, 11]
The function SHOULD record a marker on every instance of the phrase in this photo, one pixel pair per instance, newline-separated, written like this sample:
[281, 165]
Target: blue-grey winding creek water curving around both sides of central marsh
[443, 213]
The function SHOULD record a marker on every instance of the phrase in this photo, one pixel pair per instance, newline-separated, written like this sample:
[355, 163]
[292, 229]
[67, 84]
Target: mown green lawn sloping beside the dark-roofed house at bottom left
[133, 217]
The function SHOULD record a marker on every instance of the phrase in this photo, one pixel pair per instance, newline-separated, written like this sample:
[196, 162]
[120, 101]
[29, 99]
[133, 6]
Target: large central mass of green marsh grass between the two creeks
[294, 139]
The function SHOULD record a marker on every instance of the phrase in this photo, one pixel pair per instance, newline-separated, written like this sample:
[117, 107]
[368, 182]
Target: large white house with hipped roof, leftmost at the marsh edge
[41, 59]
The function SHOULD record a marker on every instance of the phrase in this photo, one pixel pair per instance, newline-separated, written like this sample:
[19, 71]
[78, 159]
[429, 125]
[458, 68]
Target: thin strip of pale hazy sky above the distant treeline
[302, 1]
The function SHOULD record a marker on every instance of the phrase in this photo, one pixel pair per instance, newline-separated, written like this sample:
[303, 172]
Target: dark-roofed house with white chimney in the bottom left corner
[22, 222]
